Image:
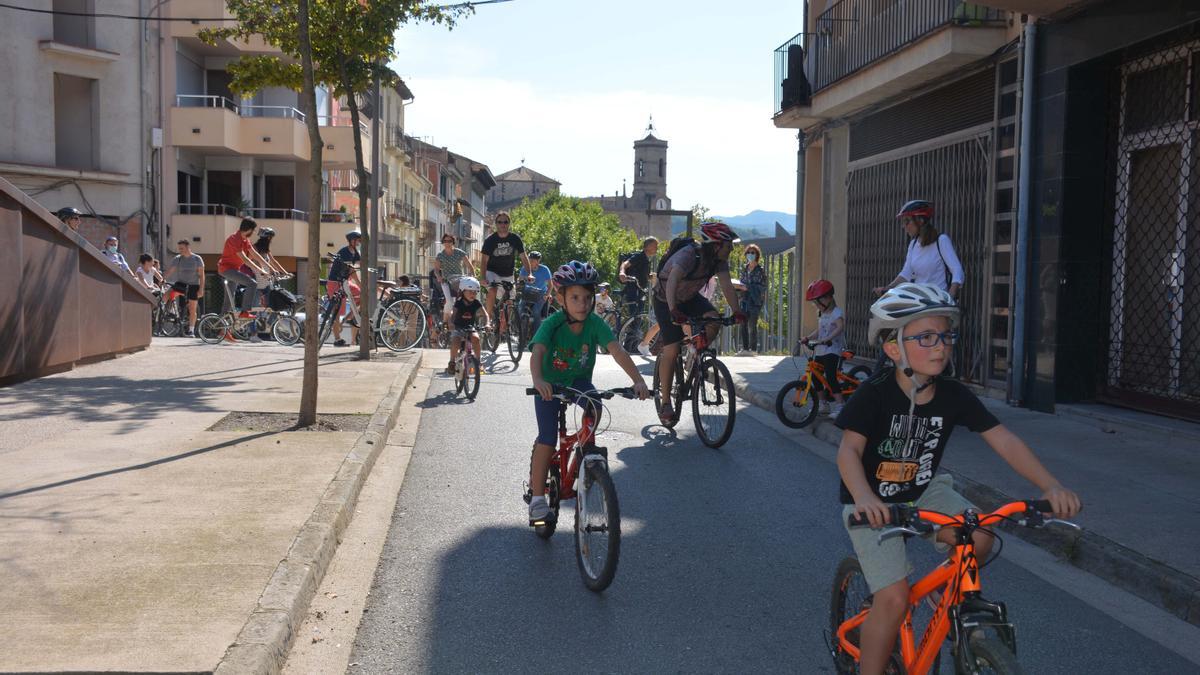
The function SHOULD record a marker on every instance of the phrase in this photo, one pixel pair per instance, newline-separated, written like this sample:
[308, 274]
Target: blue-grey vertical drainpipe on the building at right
[1024, 213]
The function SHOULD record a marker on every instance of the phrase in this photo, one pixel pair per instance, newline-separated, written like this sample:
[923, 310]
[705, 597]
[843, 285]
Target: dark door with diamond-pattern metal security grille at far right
[1155, 285]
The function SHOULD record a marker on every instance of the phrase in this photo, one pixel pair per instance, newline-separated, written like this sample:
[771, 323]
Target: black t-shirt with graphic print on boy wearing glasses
[903, 452]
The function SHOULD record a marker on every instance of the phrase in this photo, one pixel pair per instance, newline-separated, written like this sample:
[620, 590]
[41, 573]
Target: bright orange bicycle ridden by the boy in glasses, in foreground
[982, 638]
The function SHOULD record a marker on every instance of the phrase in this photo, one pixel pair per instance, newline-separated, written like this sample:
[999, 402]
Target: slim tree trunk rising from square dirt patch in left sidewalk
[311, 286]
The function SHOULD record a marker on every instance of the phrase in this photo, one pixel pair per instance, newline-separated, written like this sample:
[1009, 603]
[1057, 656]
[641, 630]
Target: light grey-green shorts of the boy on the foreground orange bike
[887, 563]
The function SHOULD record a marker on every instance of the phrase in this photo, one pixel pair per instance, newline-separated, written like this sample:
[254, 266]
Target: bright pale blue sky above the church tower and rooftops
[568, 86]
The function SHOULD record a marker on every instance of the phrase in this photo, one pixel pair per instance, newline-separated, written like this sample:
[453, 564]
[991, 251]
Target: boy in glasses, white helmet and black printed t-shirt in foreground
[895, 432]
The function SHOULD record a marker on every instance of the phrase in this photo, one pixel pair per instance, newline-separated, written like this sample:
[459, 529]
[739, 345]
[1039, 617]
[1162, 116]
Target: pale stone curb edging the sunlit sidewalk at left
[263, 644]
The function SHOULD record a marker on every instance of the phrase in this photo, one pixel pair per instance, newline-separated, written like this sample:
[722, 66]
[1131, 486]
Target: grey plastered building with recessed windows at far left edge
[79, 128]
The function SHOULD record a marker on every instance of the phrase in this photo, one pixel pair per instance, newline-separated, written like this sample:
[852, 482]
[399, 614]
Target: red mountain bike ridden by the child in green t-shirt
[579, 470]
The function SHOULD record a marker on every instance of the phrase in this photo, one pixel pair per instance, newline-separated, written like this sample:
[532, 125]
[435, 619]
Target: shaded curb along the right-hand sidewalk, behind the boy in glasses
[1159, 584]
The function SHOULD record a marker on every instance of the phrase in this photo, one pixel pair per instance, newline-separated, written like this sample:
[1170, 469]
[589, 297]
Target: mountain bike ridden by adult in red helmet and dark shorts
[703, 378]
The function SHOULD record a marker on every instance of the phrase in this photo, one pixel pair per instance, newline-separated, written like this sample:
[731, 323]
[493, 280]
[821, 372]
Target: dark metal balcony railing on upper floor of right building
[855, 34]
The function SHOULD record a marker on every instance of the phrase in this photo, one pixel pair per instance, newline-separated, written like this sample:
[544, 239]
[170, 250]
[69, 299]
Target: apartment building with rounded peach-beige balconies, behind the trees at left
[229, 157]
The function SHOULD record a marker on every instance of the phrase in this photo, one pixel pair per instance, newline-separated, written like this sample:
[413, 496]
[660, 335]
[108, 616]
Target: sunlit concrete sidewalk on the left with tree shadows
[137, 540]
